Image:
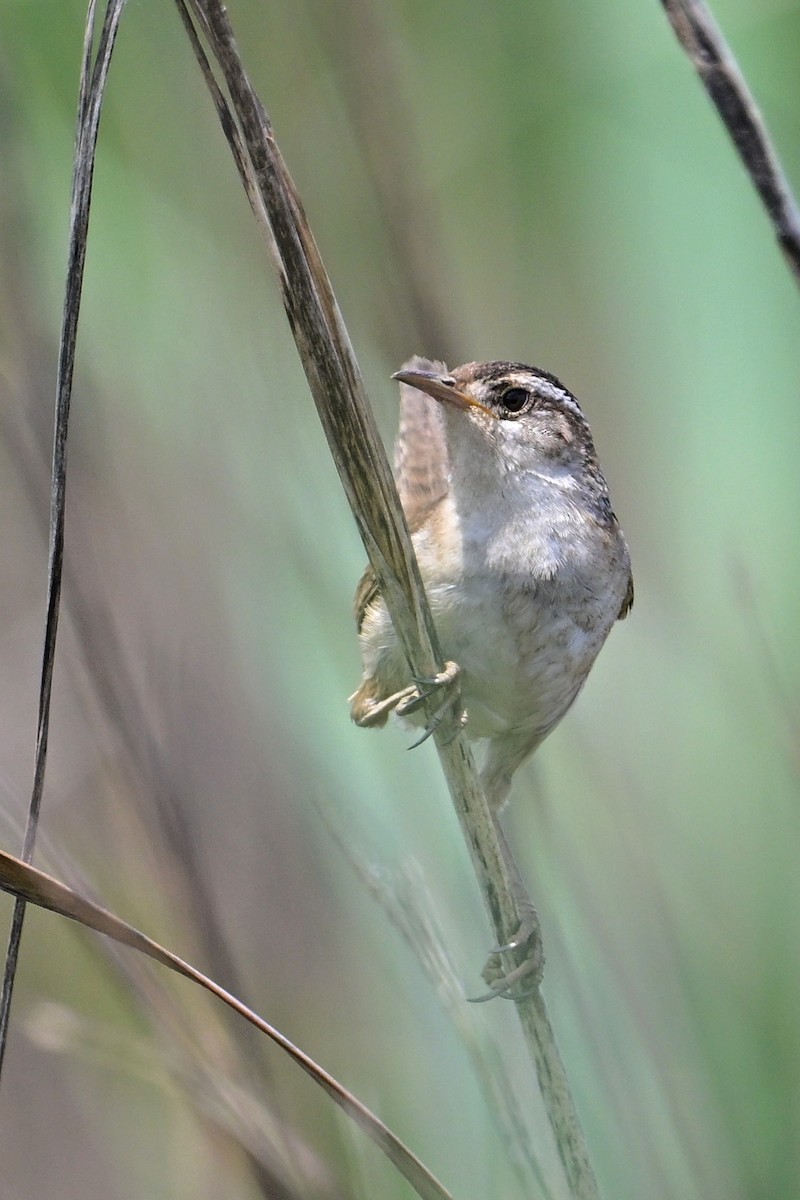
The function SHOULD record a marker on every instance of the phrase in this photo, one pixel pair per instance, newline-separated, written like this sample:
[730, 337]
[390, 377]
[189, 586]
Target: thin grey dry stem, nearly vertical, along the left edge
[93, 86]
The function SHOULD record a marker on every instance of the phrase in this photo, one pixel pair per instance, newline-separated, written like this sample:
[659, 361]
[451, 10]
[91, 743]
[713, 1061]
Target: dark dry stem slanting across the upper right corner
[707, 49]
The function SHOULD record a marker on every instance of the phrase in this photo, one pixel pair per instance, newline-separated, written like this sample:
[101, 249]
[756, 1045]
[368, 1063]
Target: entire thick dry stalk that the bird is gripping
[338, 389]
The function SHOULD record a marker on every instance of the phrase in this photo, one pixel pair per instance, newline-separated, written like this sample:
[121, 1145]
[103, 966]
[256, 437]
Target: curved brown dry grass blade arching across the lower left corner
[33, 886]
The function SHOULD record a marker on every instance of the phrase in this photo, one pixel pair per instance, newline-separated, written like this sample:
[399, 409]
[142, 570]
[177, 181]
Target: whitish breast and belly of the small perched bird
[524, 604]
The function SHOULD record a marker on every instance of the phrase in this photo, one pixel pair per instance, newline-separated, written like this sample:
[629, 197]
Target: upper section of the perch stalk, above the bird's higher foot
[323, 344]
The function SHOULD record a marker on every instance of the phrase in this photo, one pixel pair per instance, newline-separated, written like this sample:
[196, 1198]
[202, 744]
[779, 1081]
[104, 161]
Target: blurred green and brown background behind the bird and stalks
[537, 182]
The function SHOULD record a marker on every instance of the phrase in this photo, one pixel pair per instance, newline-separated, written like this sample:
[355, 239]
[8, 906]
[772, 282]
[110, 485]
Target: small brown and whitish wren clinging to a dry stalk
[524, 561]
